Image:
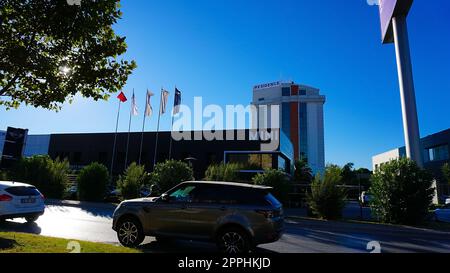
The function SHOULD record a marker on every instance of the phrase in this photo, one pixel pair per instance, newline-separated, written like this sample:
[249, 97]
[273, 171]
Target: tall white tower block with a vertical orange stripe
[301, 118]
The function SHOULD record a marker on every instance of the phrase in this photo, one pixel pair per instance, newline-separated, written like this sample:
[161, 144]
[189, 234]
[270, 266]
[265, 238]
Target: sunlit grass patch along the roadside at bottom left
[13, 242]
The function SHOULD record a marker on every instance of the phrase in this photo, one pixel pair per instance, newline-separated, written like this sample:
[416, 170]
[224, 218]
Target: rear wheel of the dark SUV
[233, 241]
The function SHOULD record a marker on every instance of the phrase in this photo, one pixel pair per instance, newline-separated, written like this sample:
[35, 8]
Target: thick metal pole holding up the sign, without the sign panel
[407, 93]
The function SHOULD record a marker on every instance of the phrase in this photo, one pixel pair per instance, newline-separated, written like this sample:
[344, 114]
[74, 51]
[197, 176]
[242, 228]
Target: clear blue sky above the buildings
[219, 49]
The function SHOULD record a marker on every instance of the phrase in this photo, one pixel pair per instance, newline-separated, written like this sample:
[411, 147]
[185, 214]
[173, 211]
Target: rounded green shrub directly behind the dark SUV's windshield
[171, 173]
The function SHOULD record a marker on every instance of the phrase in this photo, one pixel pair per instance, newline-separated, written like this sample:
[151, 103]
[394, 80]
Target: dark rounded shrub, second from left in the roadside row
[92, 182]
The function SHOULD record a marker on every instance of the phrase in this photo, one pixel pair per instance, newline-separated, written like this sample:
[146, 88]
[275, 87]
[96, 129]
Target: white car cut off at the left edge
[19, 200]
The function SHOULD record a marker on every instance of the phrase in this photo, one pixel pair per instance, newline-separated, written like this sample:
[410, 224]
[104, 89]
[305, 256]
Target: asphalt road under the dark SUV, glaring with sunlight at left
[302, 236]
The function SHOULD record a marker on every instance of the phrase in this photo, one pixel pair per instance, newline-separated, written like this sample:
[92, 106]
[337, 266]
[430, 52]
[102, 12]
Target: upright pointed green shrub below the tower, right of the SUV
[326, 199]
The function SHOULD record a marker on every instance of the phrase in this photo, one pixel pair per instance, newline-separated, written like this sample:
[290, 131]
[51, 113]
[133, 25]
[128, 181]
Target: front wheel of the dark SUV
[130, 233]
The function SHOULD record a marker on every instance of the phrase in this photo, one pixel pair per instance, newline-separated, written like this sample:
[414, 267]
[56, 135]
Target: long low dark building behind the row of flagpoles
[83, 149]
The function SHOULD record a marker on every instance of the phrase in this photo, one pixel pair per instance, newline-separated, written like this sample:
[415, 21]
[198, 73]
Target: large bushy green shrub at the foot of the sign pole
[402, 192]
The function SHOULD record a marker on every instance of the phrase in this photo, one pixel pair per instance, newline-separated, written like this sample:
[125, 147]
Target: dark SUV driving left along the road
[237, 217]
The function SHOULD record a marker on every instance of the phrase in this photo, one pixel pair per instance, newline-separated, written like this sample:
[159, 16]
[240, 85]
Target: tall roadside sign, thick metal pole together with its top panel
[393, 15]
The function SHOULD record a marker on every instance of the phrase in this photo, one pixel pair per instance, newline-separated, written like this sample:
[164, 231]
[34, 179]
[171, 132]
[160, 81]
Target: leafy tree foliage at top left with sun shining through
[50, 51]
